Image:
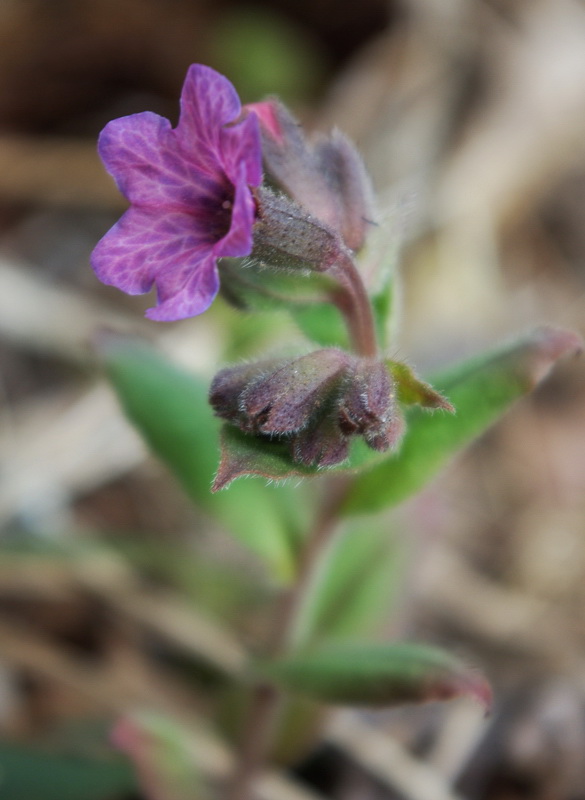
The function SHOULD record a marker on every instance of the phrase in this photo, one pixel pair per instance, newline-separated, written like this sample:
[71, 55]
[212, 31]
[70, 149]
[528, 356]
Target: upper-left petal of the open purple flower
[141, 152]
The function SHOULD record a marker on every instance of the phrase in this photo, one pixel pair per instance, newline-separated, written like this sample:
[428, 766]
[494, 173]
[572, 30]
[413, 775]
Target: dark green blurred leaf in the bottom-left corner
[29, 773]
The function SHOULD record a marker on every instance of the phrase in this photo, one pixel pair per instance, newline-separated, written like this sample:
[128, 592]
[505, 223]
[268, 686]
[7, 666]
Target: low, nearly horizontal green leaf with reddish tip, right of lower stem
[378, 675]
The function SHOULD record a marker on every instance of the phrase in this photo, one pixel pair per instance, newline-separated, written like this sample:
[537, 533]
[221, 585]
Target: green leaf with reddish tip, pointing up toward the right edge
[481, 390]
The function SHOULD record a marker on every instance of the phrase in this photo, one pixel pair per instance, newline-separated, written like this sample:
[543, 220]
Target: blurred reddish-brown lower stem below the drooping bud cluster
[266, 699]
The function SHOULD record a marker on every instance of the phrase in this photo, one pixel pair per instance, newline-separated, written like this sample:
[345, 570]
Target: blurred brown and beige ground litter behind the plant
[470, 115]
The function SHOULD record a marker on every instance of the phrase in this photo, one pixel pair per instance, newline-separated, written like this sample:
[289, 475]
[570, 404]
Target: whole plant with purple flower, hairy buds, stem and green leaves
[238, 197]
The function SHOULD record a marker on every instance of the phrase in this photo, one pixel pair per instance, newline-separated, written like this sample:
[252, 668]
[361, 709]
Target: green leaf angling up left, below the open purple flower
[170, 409]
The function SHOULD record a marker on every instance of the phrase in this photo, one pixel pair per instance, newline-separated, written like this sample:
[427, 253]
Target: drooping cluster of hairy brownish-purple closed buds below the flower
[314, 402]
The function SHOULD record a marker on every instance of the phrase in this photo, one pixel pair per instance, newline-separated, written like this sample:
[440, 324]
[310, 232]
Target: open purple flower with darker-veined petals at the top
[189, 189]
